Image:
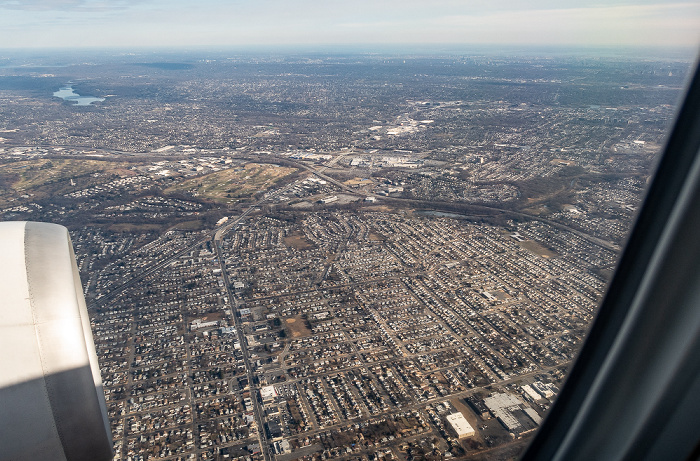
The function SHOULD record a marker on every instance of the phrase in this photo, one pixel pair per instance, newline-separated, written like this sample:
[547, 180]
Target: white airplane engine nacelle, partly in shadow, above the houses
[52, 405]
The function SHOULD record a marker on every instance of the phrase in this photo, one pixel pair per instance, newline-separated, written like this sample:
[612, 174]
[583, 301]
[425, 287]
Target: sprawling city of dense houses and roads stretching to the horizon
[356, 256]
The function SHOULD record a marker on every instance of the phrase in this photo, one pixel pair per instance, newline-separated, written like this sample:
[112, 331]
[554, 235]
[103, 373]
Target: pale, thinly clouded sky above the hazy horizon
[246, 23]
